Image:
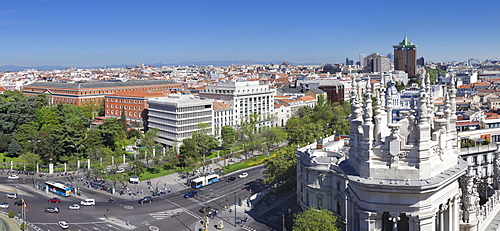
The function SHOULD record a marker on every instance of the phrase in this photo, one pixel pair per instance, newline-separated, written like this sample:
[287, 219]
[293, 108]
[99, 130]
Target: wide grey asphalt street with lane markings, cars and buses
[167, 212]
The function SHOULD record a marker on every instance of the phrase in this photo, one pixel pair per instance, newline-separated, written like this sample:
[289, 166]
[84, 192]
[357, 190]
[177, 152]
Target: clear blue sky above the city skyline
[108, 32]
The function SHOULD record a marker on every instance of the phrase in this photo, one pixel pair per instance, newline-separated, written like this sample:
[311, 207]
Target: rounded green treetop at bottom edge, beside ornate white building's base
[315, 220]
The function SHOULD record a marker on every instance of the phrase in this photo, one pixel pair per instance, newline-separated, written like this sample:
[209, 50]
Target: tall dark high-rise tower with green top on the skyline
[405, 57]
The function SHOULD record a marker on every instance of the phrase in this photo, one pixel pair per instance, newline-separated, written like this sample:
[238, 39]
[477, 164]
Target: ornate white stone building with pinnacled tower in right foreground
[404, 175]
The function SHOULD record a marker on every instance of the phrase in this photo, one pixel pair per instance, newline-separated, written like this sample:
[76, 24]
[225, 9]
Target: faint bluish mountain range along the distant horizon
[184, 63]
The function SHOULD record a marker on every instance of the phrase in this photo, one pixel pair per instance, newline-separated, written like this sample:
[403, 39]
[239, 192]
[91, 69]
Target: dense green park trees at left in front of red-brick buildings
[38, 132]
